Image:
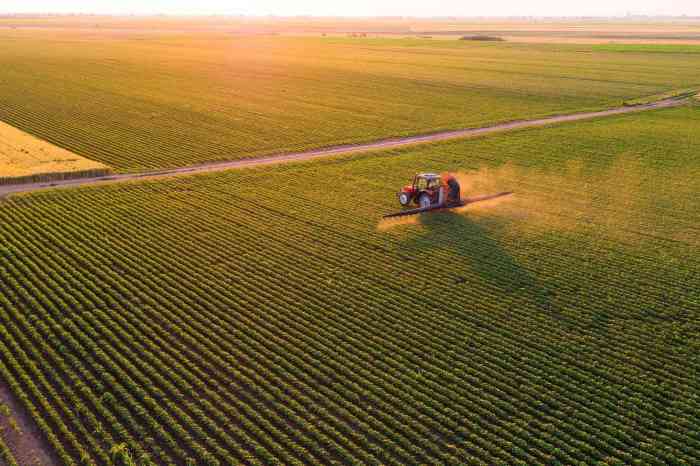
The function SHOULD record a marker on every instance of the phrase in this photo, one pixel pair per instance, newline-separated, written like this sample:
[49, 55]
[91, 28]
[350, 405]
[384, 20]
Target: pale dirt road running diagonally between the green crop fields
[6, 190]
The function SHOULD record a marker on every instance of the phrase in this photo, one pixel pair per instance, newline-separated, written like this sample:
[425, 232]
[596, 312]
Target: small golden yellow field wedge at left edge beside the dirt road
[25, 159]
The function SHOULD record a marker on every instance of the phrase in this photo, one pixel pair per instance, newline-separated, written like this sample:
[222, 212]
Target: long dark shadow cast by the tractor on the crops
[477, 247]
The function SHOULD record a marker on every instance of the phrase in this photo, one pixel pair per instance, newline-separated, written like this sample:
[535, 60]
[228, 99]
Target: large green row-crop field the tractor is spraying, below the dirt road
[190, 321]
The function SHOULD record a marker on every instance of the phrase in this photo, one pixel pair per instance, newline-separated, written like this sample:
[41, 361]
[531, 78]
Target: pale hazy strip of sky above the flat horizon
[363, 7]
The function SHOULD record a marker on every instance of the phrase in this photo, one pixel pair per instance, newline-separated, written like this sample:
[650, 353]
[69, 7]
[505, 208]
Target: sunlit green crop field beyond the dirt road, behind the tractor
[155, 99]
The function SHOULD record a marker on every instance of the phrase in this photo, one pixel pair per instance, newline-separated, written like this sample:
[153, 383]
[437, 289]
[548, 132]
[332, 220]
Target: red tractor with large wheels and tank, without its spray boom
[430, 190]
